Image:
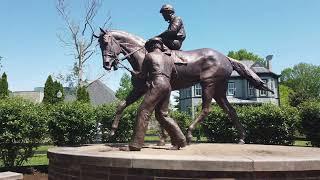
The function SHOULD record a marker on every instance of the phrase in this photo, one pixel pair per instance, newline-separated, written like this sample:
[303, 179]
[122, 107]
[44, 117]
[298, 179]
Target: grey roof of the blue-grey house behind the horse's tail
[257, 67]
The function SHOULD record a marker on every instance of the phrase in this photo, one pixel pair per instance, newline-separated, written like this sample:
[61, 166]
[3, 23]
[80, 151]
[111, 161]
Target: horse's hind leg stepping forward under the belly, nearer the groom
[207, 94]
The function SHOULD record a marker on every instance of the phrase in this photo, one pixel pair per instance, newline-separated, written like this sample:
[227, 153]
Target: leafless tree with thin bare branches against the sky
[77, 35]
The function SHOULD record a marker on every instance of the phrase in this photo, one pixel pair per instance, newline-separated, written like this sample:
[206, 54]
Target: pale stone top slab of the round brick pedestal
[195, 157]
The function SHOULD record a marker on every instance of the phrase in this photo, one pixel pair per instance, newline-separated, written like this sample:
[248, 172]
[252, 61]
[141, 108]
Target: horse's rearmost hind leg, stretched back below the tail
[223, 102]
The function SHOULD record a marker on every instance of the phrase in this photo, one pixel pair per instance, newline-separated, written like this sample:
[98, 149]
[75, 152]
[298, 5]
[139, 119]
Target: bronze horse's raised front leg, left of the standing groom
[133, 96]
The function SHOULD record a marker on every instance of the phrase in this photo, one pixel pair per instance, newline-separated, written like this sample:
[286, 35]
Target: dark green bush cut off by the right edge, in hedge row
[310, 121]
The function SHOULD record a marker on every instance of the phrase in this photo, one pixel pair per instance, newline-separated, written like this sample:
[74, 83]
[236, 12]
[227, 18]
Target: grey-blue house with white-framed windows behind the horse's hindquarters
[239, 91]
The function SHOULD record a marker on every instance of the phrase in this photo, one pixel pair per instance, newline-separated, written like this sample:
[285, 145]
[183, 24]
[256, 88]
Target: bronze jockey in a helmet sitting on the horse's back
[175, 34]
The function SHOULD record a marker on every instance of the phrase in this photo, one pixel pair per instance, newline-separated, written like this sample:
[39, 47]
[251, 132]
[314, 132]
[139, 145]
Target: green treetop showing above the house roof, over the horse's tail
[243, 54]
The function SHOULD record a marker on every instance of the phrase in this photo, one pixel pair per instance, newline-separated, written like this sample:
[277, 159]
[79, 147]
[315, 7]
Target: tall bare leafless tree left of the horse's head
[80, 40]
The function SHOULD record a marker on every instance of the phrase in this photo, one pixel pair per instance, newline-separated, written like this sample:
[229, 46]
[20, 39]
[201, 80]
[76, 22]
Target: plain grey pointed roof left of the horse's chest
[100, 93]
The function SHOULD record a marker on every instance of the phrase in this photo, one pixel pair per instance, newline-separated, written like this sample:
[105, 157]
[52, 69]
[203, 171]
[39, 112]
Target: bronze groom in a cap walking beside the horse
[157, 70]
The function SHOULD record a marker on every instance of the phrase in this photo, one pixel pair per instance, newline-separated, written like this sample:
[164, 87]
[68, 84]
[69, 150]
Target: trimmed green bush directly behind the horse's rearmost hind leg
[266, 124]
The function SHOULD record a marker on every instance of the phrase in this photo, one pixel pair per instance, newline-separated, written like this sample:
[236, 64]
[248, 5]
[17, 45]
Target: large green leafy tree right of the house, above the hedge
[303, 78]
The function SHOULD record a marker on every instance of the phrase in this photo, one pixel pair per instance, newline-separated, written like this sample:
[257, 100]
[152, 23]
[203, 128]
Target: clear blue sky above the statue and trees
[288, 29]
